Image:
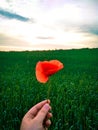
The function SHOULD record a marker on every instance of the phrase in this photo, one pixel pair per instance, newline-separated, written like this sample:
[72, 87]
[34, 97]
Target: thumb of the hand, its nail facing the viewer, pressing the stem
[43, 112]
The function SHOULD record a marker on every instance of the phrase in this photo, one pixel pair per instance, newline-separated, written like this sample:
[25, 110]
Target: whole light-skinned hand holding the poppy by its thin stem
[38, 117]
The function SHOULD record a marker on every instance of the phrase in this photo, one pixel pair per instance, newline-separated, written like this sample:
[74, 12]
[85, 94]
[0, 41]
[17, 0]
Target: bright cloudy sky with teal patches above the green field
[48, 24]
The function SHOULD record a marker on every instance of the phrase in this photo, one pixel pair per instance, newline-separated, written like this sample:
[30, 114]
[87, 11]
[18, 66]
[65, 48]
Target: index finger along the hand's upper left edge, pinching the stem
[34, 110]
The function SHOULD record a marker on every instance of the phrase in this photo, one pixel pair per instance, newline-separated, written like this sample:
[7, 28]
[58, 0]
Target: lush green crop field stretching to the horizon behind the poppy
[73, 90]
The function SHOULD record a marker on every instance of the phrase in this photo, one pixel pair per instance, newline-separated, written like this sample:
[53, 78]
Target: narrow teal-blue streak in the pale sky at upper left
[10, 15]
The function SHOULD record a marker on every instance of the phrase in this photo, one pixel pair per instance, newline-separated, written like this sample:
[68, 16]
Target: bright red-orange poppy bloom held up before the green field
[44, 69]
